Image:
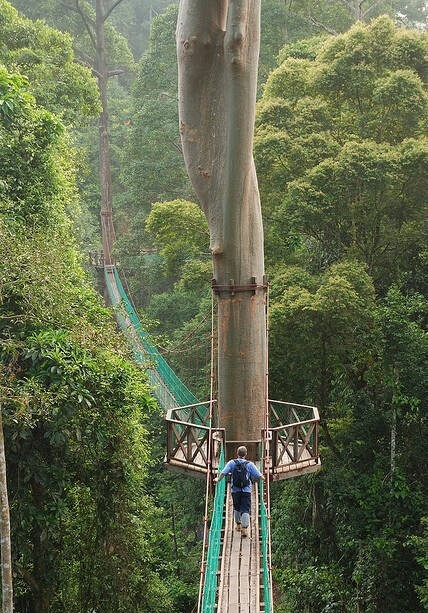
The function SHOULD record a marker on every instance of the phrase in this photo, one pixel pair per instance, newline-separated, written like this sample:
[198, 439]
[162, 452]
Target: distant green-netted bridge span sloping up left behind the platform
[146, 353]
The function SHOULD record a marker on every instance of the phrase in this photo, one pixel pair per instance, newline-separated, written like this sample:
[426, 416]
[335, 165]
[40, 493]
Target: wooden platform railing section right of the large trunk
[293, 434]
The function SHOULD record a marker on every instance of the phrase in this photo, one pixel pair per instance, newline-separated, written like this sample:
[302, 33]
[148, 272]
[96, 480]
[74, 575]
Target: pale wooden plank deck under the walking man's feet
[239, 589]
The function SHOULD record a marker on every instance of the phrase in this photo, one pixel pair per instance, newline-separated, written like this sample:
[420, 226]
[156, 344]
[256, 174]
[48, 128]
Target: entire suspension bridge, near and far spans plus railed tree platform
[236, 575]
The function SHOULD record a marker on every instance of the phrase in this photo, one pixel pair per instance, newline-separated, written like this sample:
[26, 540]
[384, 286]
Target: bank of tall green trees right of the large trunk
[341, 156]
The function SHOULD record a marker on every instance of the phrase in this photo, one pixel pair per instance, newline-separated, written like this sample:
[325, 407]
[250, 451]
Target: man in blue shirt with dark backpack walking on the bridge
[243, 474]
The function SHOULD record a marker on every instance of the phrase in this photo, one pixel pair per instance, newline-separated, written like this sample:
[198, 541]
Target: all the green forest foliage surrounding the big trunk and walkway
[341, 158]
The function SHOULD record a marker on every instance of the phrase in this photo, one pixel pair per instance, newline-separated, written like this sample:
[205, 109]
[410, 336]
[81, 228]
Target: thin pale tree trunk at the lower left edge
[6, 548]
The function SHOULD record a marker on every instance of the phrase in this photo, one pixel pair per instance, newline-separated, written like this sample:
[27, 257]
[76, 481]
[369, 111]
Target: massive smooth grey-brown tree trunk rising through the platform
[218, 45]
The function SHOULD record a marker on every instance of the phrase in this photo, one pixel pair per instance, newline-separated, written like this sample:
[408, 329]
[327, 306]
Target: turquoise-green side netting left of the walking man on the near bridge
[214, 544]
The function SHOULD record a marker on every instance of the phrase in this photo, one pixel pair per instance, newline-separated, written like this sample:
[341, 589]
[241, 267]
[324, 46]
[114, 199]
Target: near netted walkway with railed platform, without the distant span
[235, 571]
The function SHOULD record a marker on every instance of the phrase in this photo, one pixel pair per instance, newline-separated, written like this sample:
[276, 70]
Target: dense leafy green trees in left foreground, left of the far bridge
[76, 411]
